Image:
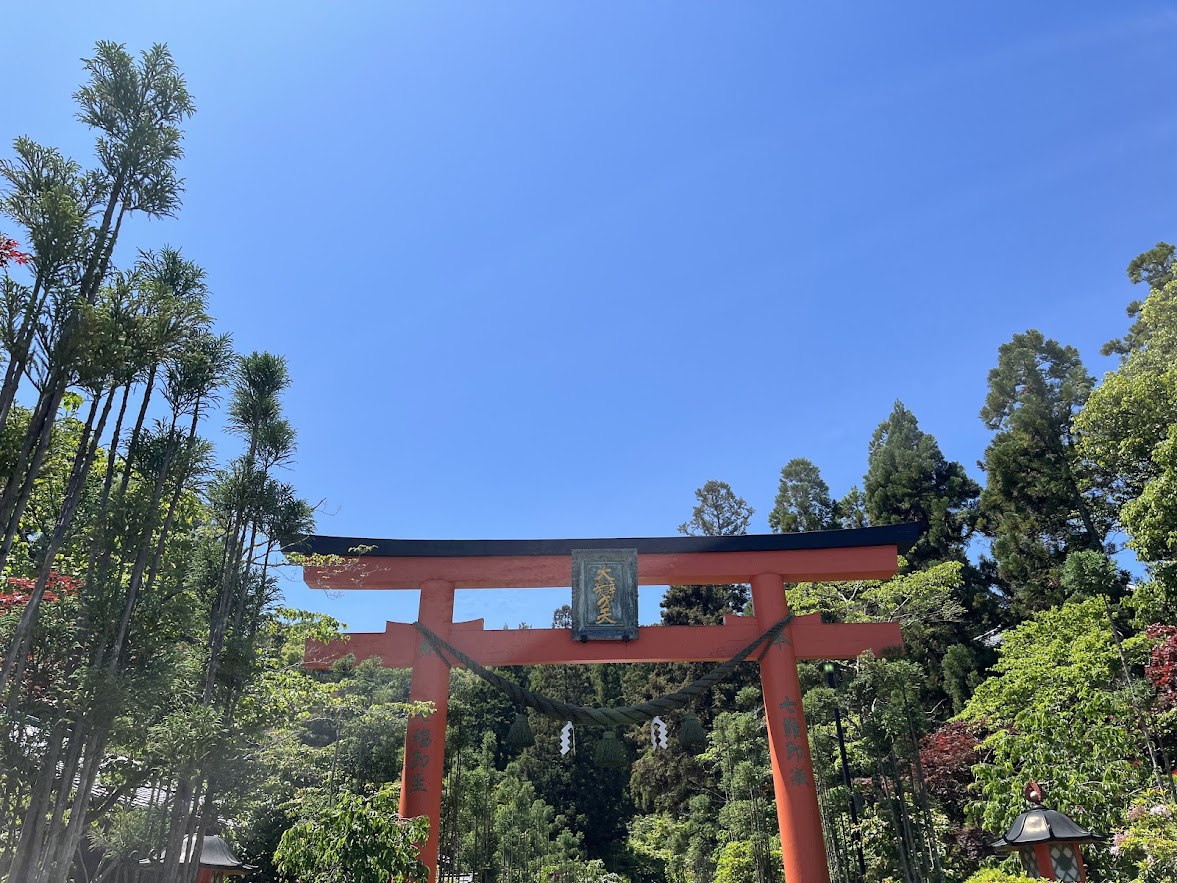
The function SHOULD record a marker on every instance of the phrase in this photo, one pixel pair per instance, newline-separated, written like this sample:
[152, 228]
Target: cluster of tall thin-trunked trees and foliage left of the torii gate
[157, 681]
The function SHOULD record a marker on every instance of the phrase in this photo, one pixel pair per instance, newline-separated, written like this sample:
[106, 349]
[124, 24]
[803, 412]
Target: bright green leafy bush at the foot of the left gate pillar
[353, 839]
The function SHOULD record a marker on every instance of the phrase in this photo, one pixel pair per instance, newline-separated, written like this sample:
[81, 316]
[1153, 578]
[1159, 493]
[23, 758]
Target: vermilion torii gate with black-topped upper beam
[438, 568]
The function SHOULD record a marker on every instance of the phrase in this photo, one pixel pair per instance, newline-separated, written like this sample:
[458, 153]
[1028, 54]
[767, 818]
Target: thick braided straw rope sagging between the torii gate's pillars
[602, 718]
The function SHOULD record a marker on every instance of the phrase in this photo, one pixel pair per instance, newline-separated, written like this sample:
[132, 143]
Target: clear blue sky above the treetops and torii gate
[543, 269]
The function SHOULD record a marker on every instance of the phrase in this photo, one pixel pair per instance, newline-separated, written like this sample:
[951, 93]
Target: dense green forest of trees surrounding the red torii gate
[152, 679]
